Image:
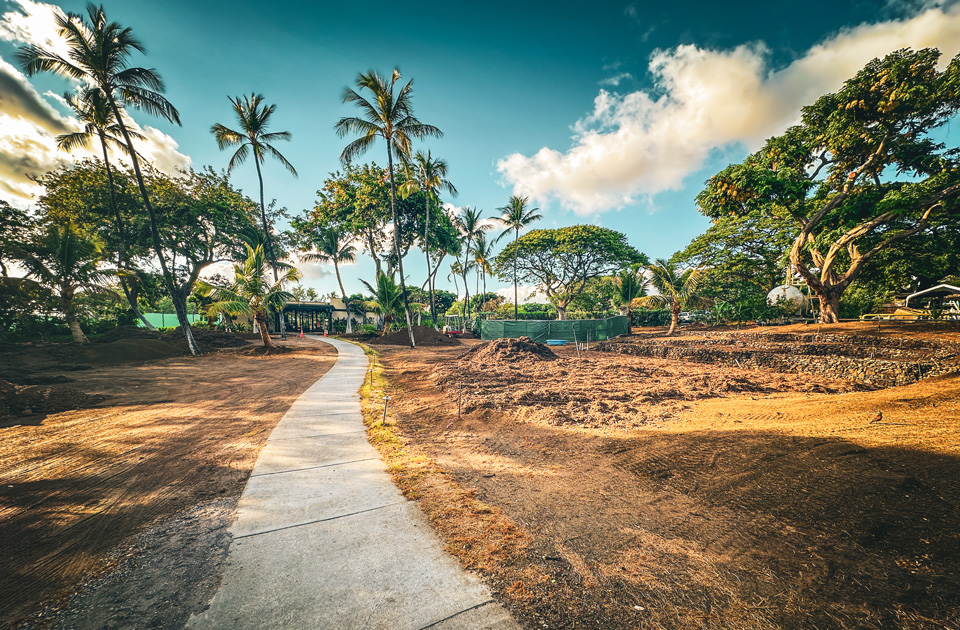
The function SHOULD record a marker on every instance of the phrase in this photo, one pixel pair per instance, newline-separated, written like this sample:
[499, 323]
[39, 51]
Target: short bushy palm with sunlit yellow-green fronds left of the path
[251, 292]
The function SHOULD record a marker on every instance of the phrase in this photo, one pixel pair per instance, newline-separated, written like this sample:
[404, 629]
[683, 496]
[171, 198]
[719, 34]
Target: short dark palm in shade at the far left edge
[65, 261]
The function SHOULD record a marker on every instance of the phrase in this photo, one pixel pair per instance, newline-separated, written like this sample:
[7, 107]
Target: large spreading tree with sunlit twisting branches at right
[859, 175]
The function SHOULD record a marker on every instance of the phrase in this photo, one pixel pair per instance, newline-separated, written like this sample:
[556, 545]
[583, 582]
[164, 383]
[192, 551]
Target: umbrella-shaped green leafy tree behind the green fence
[561, 261]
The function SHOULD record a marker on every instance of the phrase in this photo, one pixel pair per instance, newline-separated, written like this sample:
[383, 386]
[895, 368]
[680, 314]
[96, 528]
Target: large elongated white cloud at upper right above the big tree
[646, 142]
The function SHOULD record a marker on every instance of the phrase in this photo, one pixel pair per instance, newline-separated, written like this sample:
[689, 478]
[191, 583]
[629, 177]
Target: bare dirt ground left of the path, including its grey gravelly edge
[163, 453]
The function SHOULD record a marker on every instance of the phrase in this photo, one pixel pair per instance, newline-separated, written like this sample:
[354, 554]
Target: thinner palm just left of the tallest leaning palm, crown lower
[93, 111]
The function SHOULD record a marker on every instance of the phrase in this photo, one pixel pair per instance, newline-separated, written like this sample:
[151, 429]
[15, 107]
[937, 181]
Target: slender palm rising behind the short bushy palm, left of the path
[253, 117]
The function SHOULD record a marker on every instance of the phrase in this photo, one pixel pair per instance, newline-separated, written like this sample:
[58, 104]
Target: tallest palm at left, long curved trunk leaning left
[99, 55]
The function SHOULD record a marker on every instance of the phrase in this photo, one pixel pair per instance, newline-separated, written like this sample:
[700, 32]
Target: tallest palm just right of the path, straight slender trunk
[389, 116]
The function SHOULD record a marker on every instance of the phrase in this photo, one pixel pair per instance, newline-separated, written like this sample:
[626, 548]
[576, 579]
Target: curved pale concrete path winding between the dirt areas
[323, 538]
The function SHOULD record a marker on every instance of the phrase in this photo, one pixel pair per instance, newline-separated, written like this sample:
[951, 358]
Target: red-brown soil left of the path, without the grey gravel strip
[167, 435]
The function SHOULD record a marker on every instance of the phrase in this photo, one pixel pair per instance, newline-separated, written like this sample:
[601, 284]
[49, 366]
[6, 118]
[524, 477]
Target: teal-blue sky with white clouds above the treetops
[611, 113]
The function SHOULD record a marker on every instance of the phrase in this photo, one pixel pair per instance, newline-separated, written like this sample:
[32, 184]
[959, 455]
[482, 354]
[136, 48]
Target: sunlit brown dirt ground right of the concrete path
[773, 503]
